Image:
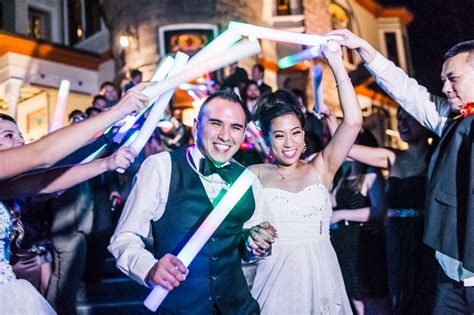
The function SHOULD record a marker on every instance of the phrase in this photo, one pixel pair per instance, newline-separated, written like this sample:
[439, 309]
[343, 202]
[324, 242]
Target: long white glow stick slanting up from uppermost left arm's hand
[238, 51]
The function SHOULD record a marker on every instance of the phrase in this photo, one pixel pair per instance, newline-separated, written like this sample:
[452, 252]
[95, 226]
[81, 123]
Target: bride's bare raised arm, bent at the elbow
[337, 149]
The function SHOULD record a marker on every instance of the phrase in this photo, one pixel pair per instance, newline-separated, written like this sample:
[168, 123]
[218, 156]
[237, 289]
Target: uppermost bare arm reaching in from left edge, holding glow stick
[53, 147]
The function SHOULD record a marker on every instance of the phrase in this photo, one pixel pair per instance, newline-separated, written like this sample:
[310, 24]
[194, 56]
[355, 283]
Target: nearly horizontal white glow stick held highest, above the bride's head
[279, 35]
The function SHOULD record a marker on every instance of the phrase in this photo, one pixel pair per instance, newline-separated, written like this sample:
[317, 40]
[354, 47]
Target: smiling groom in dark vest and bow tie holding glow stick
[173, 193]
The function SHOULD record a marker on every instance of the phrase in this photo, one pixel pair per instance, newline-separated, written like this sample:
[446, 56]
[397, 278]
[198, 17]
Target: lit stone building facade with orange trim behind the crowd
[88, 42]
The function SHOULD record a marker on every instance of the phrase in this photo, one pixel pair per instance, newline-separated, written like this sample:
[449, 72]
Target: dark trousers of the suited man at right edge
[452, 297]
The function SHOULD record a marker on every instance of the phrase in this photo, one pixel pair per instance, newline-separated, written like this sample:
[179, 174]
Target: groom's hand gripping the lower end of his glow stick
[168, 272]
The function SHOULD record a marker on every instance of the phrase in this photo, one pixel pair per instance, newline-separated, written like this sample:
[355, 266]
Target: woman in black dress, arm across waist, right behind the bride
[358, 197]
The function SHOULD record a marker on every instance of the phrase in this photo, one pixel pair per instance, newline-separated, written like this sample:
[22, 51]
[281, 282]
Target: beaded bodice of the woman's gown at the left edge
[6, 229]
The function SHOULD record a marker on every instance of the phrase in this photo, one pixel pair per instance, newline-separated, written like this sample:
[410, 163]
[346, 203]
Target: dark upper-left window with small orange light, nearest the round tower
[84, 19]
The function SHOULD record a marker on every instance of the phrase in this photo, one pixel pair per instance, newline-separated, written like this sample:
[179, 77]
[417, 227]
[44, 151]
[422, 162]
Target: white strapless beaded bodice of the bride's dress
[304, 215]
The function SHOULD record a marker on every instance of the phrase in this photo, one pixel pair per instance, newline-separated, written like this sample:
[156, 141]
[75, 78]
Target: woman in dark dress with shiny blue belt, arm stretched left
[410, 263]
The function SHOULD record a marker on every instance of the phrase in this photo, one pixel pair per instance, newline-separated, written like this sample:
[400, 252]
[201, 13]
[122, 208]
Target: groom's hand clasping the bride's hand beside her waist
[260, 238]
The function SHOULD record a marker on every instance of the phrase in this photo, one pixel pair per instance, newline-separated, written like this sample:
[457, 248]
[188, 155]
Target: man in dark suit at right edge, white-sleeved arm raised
[449, 218]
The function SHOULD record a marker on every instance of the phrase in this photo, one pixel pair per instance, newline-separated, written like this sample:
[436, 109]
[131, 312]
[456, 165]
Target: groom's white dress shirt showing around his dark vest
[146, 202]
